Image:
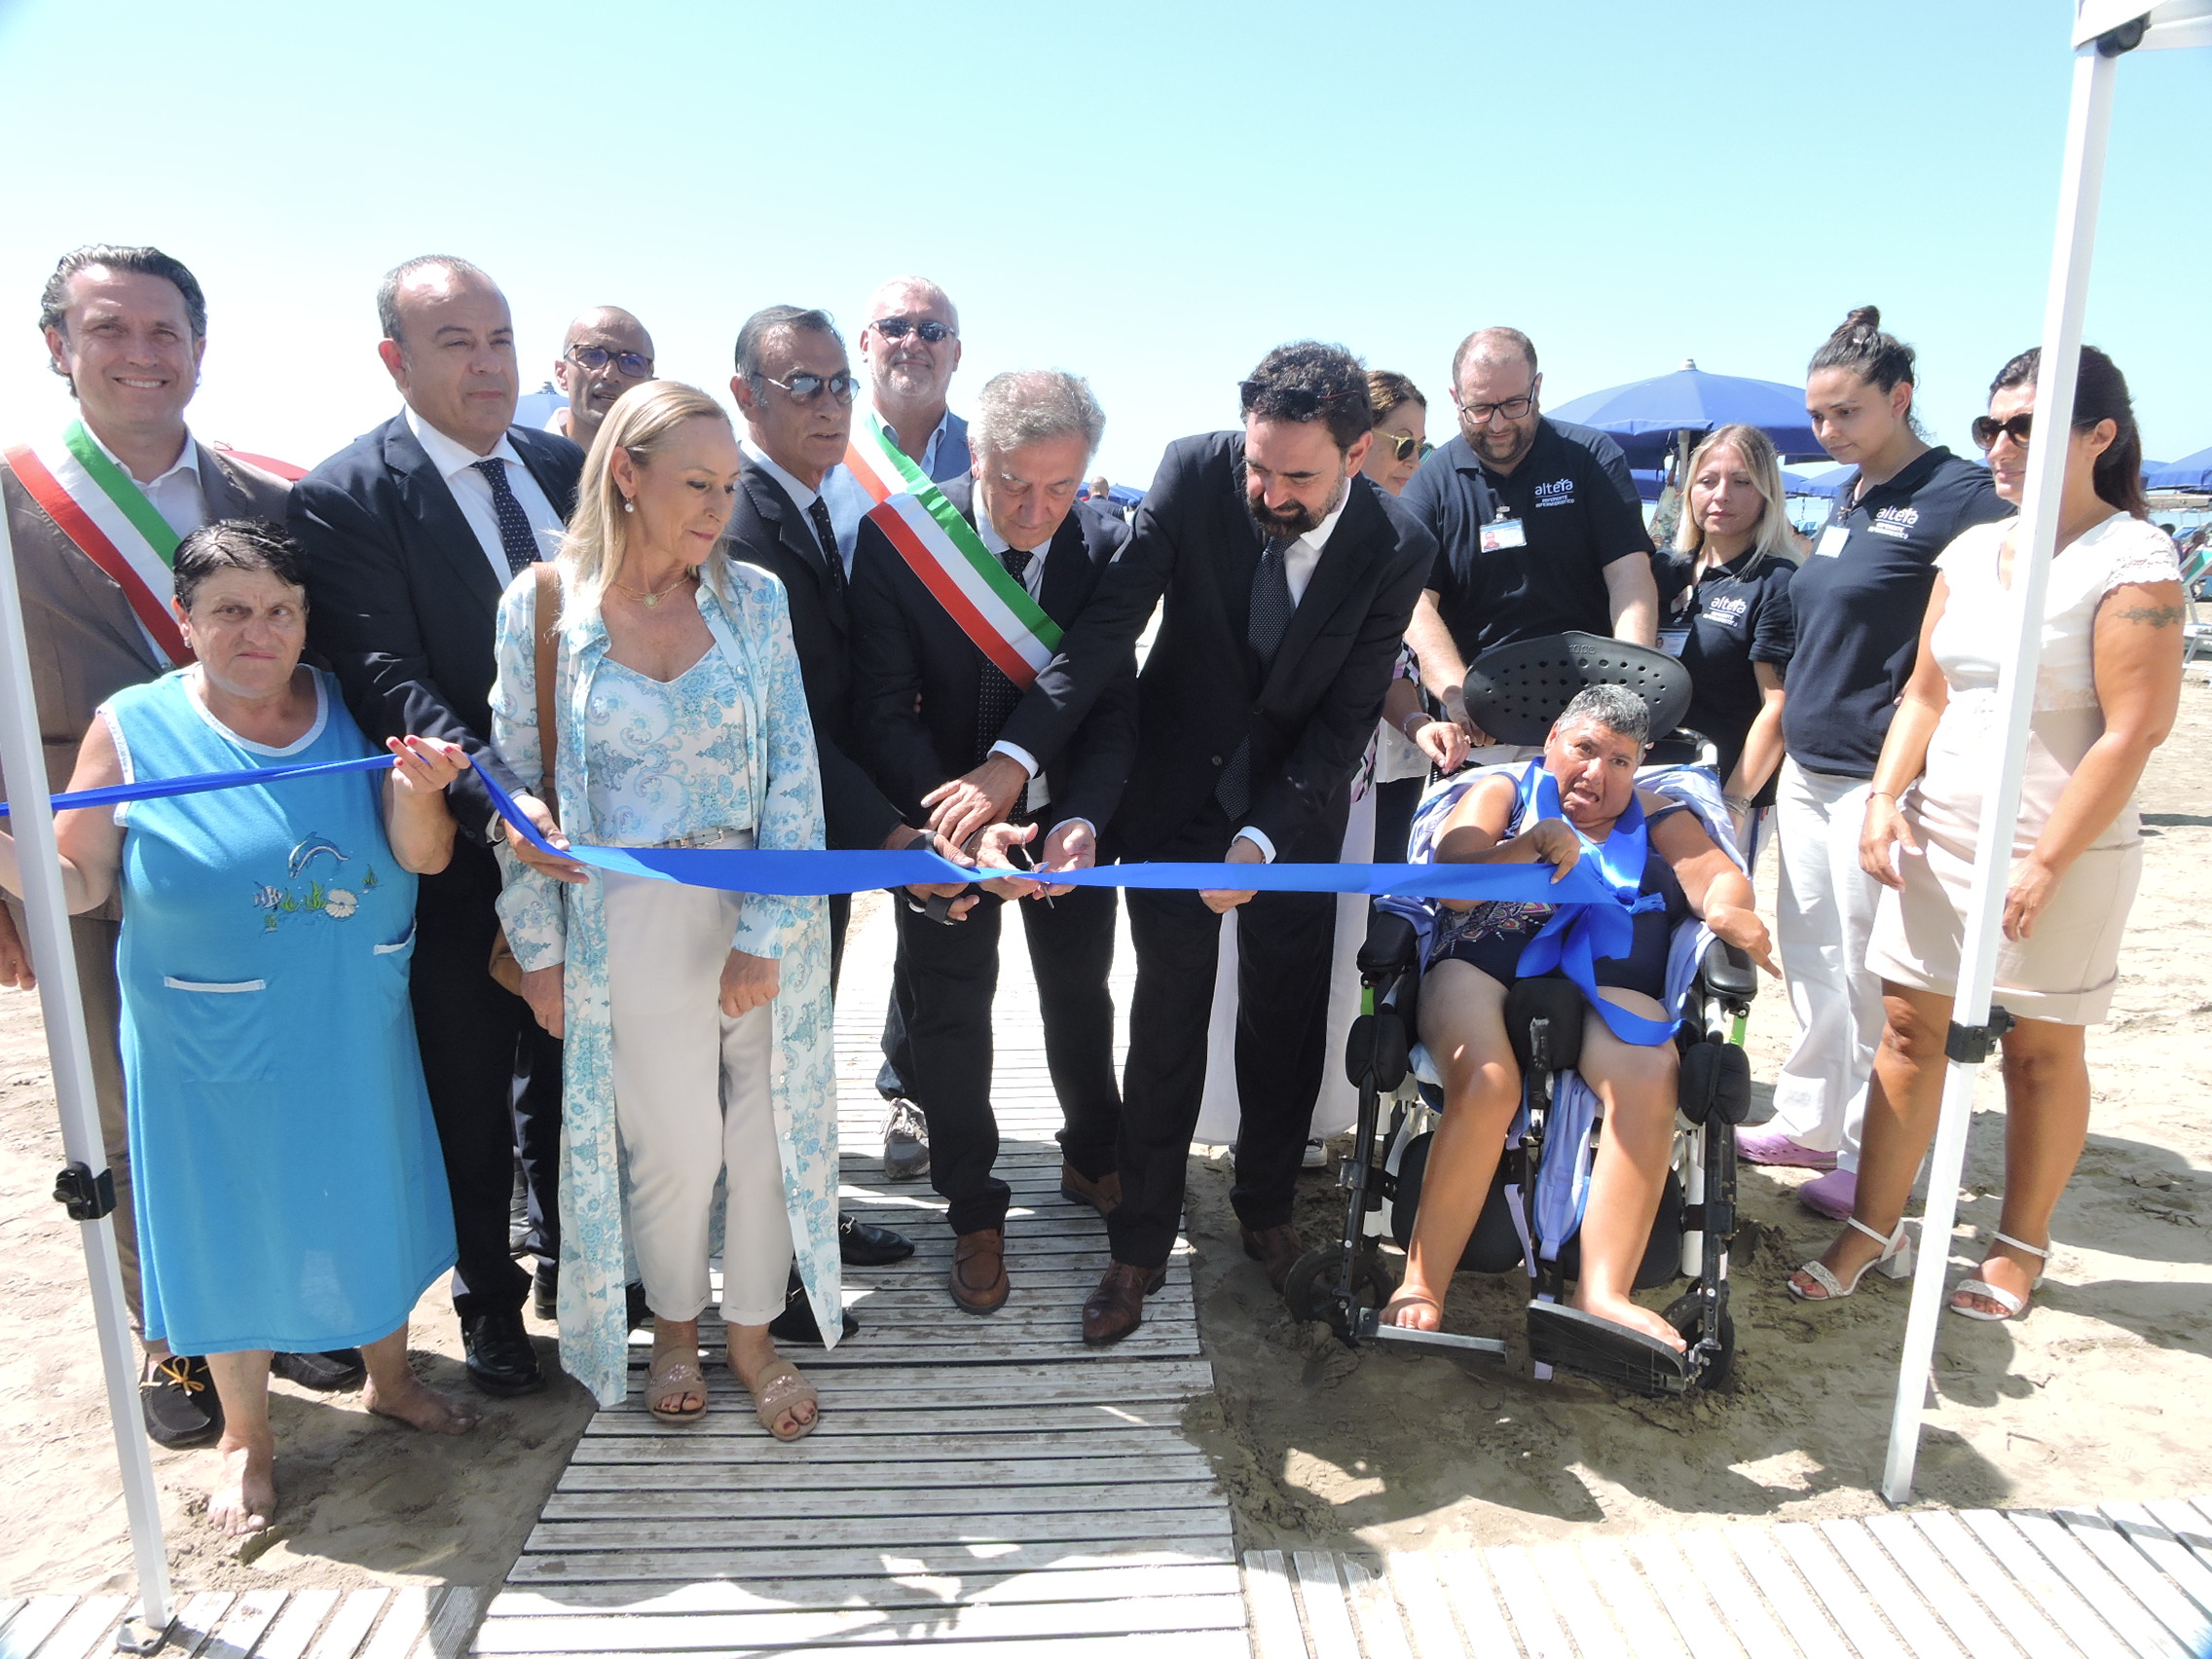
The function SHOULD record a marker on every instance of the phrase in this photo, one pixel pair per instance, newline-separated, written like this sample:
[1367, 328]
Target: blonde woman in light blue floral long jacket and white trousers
[696, 1023]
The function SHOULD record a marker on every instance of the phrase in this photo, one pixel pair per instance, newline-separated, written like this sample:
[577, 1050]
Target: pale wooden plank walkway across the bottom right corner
[2107, 1583]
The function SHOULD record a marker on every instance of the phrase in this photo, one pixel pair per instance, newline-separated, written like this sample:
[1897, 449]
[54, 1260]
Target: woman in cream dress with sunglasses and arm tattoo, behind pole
[2105, 700]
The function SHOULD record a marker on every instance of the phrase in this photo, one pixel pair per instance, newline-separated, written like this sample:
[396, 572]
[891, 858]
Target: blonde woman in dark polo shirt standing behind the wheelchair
[1724, 609]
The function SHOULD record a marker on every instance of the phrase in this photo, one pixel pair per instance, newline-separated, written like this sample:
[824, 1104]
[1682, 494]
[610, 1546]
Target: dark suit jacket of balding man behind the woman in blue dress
[401, 598]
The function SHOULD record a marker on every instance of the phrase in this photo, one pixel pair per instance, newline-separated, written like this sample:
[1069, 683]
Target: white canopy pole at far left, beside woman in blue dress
[56, 963]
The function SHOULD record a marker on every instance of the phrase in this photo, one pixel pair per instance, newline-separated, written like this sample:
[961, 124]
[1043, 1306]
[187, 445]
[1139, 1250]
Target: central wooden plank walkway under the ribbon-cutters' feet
[979, 1485]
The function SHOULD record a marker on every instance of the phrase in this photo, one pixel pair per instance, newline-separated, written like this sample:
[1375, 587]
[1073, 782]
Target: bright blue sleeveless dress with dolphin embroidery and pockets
[289, 1180]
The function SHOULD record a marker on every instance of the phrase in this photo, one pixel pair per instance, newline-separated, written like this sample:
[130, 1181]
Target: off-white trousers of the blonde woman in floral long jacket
[693, 1103]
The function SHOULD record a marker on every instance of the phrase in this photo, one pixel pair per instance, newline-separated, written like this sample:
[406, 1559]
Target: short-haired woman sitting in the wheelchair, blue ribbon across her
[1594, 753]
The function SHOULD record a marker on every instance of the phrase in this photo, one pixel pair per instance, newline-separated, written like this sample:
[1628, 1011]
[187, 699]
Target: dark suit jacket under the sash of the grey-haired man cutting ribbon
[906, 647]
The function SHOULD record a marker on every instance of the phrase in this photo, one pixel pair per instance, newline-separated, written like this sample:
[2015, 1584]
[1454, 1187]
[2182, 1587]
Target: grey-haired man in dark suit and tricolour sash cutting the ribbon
[932, 702]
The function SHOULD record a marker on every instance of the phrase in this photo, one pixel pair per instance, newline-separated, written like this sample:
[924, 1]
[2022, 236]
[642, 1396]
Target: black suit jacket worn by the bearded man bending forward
[1202, 691]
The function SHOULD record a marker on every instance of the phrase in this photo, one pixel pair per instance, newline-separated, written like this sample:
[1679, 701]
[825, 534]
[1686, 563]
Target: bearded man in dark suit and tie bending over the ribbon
[1288, 581]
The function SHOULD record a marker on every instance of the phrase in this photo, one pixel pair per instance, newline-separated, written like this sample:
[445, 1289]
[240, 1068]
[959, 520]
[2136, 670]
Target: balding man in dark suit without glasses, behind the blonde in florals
[413, 534]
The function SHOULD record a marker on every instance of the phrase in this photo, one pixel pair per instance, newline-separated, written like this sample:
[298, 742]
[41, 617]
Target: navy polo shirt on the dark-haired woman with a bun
[1861, 598]
